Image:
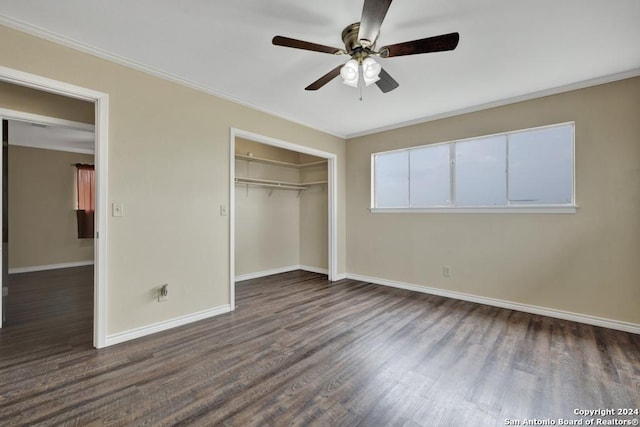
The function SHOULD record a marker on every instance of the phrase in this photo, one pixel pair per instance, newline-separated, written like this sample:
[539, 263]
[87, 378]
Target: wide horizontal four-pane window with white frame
[527, 170]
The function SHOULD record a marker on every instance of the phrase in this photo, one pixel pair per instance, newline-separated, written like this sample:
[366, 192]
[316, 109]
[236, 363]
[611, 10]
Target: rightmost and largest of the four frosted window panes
[541, 166]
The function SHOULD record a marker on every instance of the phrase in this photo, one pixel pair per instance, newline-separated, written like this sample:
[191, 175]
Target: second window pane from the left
[430, 176]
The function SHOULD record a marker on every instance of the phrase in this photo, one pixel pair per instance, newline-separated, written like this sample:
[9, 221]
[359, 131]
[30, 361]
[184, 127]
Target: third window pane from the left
[480, 172]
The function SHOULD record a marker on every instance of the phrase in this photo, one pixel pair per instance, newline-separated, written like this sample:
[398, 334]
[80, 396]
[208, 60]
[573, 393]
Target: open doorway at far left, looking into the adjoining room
[47, 264]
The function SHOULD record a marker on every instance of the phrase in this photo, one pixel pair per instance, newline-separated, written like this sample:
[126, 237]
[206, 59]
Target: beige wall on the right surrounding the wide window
[586, 263]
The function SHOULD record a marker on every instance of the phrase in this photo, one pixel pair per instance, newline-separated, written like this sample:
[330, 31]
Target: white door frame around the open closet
[332, 186]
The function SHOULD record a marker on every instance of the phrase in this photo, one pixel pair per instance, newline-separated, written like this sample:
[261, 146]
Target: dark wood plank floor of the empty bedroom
[300, 350]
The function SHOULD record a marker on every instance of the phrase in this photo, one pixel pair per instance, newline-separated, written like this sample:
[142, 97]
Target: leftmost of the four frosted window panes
[392, 179]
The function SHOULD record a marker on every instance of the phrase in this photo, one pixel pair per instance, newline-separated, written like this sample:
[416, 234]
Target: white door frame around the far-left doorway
[101, 107]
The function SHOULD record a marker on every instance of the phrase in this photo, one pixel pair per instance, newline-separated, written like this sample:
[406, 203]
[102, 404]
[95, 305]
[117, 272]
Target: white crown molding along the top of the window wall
[609, 78]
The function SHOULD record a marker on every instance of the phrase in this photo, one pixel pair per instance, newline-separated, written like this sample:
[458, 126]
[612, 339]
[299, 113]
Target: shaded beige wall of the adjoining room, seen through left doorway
[42, 198]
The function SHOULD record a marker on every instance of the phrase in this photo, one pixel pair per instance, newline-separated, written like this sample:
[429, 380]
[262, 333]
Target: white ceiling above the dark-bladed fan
[508, 50]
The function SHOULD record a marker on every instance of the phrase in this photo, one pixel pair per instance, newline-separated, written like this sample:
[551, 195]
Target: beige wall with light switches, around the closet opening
[169, 167]
